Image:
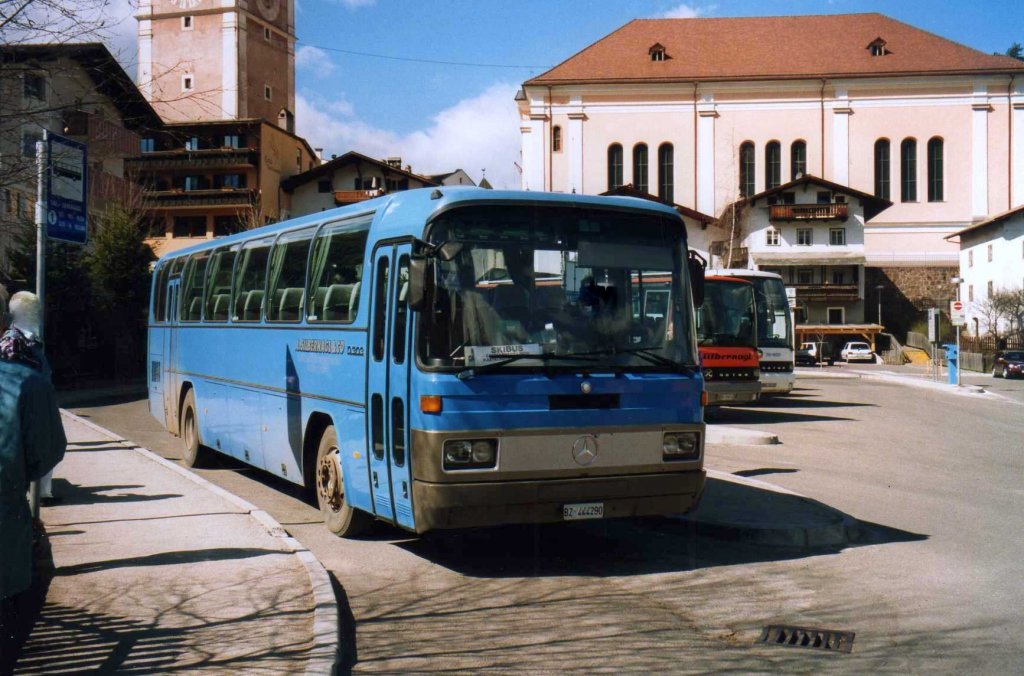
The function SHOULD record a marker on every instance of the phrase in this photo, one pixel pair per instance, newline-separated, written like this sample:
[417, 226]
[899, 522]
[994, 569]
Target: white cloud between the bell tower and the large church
[477, 134]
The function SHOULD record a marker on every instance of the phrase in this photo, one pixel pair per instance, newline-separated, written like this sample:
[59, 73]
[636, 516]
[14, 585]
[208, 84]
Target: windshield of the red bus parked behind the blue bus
[728, 317]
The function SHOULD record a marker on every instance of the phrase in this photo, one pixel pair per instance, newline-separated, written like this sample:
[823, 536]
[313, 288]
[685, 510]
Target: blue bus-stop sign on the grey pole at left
[67, 190]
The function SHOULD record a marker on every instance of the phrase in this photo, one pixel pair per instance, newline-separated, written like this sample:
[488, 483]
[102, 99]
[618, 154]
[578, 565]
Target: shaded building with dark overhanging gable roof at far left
[79, 92]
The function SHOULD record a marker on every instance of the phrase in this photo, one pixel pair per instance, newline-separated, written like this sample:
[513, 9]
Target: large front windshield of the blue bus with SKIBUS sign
[553, 286]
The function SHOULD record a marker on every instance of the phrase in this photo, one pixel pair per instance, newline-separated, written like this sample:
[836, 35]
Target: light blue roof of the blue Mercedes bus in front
[410, 210]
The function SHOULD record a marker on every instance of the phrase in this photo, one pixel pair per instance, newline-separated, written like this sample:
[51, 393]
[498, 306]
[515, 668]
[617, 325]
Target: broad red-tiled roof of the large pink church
[771, 48]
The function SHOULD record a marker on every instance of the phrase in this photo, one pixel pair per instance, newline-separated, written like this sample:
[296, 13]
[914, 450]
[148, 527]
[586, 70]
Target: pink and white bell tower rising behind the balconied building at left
[219, 60]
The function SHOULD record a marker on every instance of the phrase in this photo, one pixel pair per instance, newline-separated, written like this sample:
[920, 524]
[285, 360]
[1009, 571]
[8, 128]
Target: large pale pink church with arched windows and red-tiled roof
[706, 112]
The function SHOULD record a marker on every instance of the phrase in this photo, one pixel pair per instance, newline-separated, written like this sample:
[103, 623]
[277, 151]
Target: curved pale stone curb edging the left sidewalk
[325, 657]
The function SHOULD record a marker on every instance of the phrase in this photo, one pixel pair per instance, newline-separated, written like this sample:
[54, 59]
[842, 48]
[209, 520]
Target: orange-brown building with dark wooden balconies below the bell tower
[206, 180]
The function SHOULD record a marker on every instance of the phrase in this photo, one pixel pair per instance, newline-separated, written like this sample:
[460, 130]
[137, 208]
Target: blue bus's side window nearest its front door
[334, 278]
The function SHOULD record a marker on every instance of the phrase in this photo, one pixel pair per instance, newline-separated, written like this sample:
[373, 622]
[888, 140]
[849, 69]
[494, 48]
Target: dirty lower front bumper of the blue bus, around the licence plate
[467, 505]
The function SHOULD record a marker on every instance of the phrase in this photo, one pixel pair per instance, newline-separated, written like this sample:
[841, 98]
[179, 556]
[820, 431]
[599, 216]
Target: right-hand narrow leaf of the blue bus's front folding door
[398, 414]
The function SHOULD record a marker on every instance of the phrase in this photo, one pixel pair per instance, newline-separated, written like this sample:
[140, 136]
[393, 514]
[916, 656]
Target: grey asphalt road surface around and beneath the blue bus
[935, 480]
